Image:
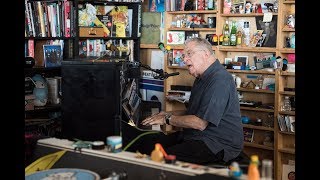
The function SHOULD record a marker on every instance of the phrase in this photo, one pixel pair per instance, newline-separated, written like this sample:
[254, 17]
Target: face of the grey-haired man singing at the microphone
[194, 59]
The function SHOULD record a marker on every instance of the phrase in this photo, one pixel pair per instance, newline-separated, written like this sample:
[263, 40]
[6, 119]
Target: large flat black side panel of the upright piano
[90, 100]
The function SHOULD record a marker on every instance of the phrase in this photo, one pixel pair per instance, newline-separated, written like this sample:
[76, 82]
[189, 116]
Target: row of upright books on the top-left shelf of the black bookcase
[49, 19]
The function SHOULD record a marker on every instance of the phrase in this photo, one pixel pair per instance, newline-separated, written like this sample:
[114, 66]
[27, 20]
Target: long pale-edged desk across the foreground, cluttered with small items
[104, 162]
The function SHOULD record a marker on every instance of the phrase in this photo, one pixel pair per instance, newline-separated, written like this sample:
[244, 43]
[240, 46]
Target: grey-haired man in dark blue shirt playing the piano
[212, 129]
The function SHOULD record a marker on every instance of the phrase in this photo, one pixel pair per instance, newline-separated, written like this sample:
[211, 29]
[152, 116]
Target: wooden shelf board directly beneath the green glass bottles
[246, 49]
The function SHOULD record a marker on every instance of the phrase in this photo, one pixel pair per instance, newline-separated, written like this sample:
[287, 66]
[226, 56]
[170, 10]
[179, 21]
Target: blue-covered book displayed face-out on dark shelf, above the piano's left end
[52, 55]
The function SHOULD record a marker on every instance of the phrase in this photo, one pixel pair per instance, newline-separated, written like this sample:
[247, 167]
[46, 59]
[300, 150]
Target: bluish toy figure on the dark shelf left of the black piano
[40, 90]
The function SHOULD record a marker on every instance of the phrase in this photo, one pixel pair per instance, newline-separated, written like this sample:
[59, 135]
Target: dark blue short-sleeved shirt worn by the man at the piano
[214, 98]
